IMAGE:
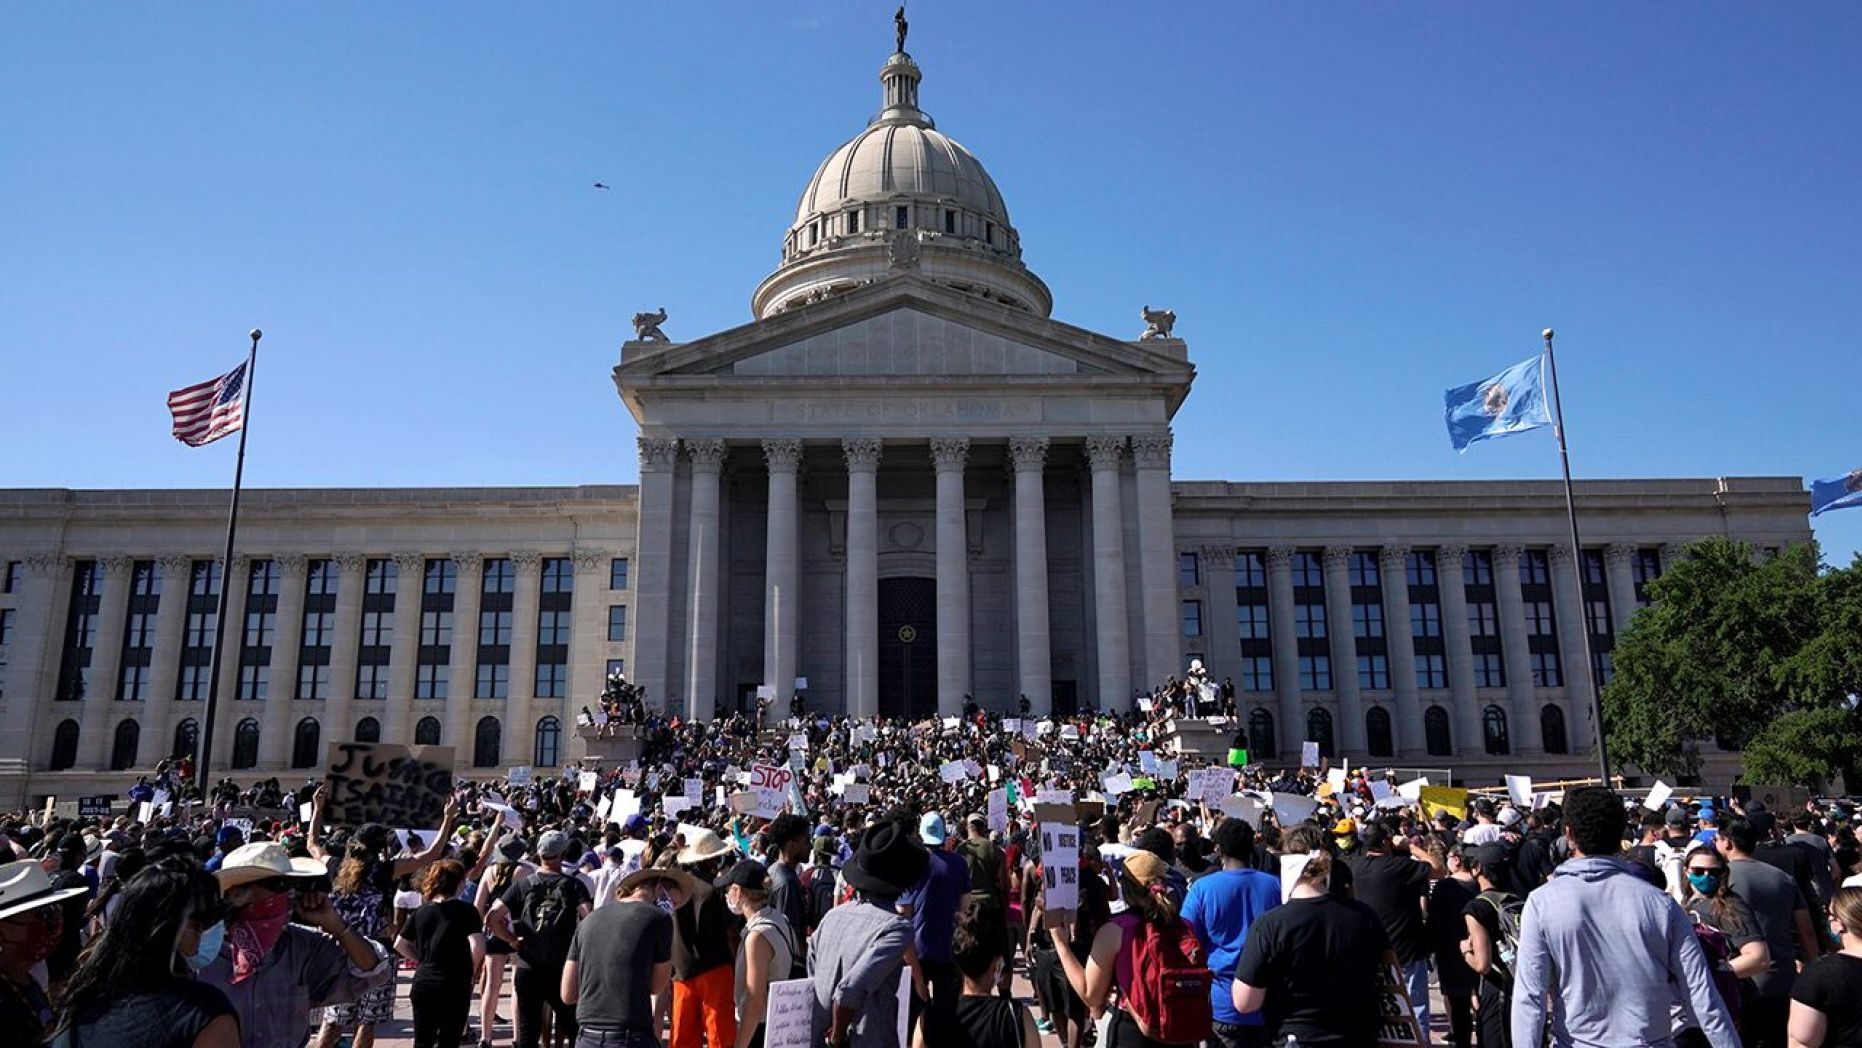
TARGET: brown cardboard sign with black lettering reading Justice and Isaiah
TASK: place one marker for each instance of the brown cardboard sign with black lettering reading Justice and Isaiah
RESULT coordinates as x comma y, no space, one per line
388,783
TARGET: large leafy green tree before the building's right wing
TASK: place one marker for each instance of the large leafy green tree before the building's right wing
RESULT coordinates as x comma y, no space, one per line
1708,660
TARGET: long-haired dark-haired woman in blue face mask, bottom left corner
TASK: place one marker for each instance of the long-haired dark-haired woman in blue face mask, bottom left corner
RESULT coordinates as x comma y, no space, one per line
131,995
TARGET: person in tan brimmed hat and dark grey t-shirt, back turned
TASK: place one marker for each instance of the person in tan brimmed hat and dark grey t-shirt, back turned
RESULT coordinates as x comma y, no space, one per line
621,961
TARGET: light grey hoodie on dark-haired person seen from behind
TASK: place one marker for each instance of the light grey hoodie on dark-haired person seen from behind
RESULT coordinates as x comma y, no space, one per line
1610,954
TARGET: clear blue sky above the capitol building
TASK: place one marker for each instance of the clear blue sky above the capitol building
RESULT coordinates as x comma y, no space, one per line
1349,206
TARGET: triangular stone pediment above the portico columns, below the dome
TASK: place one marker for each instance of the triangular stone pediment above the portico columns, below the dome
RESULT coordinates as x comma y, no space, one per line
904,330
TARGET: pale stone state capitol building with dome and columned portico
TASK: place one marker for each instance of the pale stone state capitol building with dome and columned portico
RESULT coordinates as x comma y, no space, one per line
900,483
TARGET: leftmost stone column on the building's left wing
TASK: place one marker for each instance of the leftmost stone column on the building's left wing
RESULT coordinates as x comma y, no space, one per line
34,664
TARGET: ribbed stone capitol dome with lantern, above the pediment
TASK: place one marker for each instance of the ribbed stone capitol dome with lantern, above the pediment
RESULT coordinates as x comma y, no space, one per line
900,180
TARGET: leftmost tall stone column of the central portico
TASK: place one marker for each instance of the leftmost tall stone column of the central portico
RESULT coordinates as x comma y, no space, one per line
653,569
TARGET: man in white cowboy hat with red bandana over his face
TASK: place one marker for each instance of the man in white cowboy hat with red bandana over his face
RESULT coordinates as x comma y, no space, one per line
288,950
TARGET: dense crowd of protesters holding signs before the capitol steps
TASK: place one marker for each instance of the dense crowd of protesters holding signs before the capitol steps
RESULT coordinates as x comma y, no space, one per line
1578,920
